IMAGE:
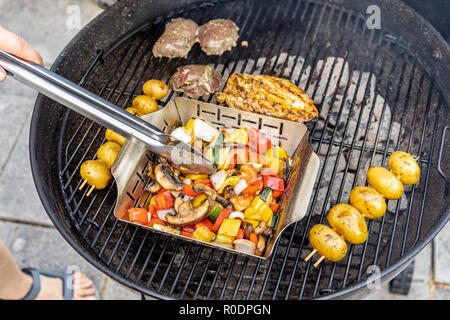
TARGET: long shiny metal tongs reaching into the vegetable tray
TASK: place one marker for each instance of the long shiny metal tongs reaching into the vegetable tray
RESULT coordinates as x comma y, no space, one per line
101,111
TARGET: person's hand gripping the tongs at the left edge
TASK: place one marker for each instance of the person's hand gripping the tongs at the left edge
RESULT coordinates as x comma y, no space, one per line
11,43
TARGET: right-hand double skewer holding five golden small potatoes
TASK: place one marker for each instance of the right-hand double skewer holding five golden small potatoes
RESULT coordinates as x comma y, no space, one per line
348,222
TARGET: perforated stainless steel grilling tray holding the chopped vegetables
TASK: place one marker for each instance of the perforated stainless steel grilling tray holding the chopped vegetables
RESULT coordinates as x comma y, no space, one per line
130,167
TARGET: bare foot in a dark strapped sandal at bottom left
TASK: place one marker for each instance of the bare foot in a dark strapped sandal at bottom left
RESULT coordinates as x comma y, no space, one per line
51,288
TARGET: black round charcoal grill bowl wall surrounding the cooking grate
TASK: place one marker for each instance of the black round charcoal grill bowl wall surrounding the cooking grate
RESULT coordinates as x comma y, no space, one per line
126,17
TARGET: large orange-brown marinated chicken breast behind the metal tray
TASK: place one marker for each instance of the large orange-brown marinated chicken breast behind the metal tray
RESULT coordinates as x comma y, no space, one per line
268,95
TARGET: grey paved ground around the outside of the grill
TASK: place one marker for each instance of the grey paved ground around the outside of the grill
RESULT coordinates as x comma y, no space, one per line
24,226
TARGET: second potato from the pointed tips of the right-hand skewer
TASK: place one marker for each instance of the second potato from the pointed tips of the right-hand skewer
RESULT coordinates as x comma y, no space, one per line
347,221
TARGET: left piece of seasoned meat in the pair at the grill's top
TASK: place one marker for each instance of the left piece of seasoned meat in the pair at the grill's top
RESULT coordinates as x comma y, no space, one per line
177,40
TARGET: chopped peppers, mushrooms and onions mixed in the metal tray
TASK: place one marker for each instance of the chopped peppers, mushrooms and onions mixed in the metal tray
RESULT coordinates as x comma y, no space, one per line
236,207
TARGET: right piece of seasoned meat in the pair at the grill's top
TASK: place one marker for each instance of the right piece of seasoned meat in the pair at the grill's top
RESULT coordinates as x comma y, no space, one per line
217,36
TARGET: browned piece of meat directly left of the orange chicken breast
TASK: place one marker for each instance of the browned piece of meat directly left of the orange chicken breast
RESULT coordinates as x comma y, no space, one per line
196,80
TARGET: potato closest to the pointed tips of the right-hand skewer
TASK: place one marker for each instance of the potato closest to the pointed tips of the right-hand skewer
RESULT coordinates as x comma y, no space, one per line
327,242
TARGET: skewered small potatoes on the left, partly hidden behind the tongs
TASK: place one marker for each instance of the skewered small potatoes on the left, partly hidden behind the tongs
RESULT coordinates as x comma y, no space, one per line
96,173
